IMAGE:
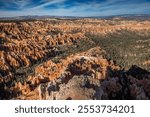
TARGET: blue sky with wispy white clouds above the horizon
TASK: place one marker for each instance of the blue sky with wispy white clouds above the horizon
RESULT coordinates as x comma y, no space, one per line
82,8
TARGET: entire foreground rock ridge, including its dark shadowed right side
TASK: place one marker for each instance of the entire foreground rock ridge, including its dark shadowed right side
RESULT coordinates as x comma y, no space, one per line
83,76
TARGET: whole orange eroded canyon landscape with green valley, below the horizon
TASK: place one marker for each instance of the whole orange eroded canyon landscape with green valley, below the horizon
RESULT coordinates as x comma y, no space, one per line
75,59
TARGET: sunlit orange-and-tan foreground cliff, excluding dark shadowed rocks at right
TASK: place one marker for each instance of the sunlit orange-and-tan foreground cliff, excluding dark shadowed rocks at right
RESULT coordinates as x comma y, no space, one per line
76,77
